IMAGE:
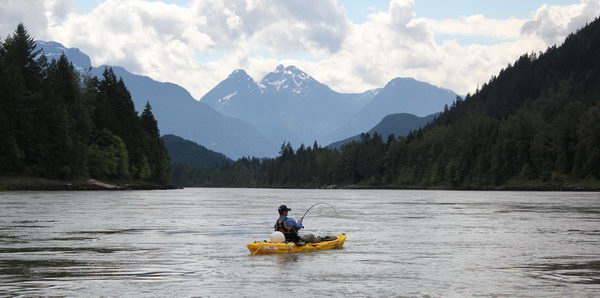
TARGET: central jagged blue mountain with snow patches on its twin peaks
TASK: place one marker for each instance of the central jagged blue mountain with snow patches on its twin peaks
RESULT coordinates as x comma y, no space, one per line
287,104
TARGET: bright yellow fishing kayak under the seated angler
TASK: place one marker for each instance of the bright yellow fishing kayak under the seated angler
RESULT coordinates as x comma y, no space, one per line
264,247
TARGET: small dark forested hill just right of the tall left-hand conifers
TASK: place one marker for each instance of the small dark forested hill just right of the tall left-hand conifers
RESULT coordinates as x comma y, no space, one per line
182,151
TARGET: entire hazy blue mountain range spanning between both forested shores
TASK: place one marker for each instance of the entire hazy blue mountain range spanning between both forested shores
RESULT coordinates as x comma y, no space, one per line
242,117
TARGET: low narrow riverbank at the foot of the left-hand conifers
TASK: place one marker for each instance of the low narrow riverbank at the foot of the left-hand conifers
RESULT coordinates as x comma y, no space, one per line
26,183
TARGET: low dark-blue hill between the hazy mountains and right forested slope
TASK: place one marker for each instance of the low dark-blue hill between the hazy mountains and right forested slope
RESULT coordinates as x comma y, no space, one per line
399,125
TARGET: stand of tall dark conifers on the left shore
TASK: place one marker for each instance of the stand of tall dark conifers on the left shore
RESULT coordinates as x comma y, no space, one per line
57,125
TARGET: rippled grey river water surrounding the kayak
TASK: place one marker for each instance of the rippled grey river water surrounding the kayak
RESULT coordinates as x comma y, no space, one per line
192,242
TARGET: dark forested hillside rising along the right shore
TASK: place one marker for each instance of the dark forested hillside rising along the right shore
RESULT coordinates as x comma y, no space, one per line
536,125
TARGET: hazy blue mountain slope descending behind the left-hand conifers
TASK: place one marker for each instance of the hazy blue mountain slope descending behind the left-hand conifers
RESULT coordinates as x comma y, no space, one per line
178,112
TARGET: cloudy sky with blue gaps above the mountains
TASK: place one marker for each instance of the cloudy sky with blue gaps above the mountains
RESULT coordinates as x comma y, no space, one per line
350,45
